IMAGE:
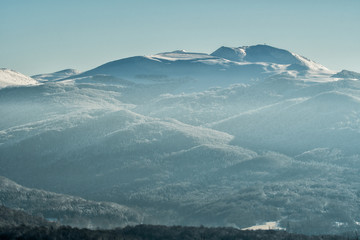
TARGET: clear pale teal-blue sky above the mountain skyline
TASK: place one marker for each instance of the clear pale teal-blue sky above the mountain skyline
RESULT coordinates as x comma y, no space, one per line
40,36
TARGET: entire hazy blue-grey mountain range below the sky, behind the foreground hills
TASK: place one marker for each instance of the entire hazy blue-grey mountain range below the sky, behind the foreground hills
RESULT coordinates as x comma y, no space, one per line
239,137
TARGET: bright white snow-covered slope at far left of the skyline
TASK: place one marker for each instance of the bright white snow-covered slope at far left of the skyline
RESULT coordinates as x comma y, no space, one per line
10,78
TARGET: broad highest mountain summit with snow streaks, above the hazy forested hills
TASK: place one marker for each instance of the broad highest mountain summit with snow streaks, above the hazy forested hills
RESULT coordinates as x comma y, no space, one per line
223,67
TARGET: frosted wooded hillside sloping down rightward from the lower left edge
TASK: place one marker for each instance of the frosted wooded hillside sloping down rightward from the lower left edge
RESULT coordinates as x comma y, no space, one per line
61,208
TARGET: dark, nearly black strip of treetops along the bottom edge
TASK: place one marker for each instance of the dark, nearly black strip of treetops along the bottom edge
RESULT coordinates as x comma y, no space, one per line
147,232
